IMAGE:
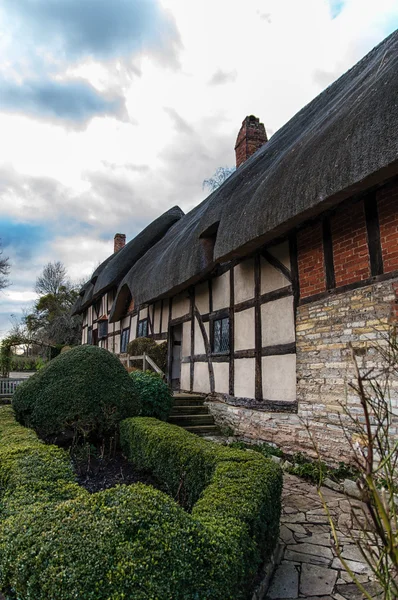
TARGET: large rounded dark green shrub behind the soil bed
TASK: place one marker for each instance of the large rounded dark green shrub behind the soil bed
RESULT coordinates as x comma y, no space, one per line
85,391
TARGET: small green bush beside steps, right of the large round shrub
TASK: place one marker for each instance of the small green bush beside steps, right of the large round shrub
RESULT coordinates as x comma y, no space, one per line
156,396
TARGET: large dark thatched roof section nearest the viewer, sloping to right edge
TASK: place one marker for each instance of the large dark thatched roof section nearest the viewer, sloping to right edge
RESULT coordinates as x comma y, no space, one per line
339,144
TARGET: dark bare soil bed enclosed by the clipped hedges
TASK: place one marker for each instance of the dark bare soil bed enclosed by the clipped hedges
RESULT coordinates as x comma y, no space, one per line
96,473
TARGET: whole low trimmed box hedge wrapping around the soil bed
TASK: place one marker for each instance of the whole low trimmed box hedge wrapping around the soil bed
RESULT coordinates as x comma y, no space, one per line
58,541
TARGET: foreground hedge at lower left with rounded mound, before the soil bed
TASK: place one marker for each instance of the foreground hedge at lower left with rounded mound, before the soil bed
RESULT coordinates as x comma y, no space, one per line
58,541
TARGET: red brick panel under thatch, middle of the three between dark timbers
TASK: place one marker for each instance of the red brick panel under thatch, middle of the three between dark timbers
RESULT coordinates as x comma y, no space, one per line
350,245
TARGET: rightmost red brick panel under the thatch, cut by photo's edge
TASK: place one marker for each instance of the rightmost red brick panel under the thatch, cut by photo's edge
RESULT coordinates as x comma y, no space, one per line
387,199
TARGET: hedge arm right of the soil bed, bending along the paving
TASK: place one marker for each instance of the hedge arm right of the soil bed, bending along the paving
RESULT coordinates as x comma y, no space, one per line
236,495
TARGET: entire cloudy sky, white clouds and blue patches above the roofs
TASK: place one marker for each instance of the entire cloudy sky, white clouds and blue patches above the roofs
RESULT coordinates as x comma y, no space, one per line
111,111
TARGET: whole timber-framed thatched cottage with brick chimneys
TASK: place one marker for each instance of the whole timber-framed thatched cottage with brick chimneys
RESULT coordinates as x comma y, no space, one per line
261,289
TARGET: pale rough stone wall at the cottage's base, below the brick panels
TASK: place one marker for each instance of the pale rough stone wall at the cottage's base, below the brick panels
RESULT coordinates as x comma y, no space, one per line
324,330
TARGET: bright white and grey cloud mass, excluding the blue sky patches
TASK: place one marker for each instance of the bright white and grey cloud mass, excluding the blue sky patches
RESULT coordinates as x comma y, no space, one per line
268,58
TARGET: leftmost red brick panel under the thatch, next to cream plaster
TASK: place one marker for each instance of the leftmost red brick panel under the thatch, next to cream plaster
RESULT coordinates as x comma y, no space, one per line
310,260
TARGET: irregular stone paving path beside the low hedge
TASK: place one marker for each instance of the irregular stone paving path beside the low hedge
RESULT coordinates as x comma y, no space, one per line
309,567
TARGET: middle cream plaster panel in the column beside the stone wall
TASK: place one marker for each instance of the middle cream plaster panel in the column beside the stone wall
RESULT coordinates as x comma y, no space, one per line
277,322
